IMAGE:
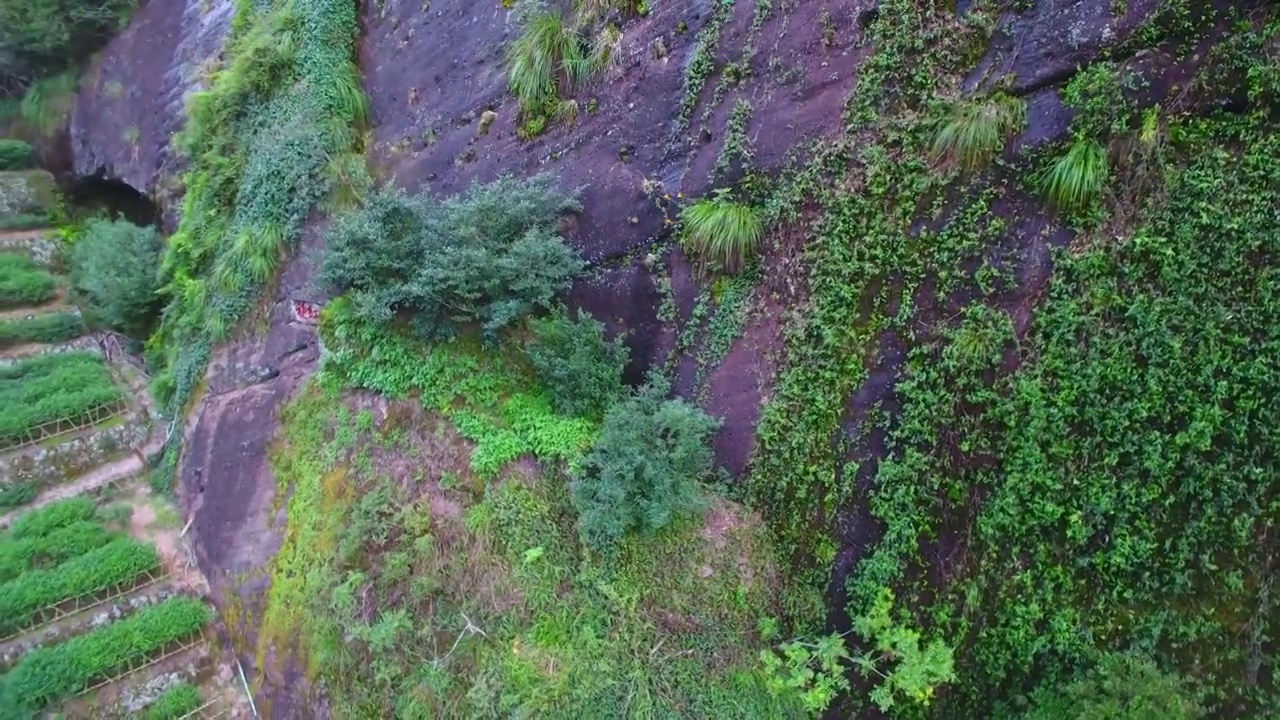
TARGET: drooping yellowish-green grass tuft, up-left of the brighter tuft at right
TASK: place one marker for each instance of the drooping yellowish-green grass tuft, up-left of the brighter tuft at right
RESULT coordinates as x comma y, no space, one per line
977,131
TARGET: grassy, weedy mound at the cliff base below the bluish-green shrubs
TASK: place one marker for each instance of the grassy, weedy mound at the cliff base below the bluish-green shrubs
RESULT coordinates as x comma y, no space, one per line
463,590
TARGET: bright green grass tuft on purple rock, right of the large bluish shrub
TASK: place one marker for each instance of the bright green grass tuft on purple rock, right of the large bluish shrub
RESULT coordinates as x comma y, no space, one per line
721,231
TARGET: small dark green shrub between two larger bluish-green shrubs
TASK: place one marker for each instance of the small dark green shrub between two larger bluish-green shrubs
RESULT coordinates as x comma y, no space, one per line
575,361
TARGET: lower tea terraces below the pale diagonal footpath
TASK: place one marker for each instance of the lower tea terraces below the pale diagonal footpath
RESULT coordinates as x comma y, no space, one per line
102,617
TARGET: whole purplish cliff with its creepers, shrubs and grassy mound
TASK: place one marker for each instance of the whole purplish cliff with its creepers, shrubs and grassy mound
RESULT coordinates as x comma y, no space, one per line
733,359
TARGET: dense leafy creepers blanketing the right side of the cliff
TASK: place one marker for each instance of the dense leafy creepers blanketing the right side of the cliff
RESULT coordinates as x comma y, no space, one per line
1113,494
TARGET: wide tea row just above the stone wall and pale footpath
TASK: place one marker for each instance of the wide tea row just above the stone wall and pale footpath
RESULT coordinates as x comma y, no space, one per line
70,389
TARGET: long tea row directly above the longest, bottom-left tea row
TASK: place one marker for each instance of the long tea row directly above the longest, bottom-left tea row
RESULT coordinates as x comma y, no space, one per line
120,562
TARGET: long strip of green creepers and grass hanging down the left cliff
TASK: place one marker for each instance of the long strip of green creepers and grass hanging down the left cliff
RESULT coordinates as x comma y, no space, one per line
277,133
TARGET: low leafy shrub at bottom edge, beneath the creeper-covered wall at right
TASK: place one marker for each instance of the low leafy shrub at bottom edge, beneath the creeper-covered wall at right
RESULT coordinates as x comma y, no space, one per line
1118,687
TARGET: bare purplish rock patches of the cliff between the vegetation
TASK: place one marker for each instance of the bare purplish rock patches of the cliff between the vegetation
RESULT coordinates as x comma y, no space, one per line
432,71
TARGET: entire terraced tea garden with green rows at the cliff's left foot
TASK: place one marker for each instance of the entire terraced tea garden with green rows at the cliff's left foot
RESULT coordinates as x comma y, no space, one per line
102,608
